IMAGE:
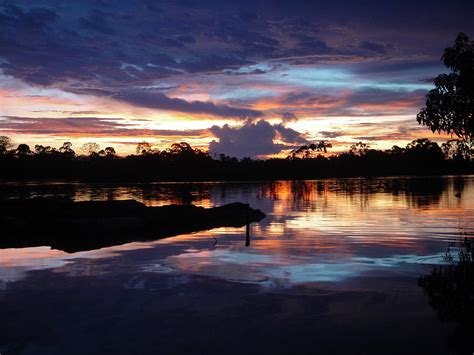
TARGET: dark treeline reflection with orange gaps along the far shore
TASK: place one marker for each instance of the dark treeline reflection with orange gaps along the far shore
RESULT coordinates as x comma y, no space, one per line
418,192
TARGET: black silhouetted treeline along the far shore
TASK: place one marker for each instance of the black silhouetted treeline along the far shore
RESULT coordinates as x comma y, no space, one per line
181,162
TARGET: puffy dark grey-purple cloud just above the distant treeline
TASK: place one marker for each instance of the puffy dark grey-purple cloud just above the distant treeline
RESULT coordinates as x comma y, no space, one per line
254,139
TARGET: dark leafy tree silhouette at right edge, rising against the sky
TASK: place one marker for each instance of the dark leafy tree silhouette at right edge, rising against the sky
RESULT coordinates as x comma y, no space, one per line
450,105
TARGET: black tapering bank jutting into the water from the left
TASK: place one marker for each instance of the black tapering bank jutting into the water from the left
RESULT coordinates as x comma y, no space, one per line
78,226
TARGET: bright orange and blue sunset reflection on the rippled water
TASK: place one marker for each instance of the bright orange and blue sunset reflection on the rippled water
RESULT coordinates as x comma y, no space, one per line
315,231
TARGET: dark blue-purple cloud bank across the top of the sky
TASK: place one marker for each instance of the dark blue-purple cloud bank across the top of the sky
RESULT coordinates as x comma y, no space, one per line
52,42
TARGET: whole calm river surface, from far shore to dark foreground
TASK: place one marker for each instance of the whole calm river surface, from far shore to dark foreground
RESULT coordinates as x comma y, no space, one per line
332,269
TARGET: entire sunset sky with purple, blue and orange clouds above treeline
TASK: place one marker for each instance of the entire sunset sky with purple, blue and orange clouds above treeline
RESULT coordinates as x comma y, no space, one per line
243,78
